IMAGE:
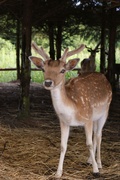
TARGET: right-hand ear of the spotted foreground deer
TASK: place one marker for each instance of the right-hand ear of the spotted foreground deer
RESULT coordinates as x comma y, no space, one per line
71,64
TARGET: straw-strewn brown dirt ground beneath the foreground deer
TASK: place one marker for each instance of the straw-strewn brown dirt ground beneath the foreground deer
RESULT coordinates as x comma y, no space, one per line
29,150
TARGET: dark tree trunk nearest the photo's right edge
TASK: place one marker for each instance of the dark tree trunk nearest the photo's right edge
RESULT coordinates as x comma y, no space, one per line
111,54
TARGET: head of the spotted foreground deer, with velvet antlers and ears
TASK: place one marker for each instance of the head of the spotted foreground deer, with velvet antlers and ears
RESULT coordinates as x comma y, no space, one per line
57,67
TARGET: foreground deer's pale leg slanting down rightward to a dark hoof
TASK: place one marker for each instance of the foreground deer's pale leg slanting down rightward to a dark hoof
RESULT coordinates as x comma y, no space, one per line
88,132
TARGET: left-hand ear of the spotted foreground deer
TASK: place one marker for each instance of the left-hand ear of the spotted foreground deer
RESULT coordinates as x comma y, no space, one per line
38,62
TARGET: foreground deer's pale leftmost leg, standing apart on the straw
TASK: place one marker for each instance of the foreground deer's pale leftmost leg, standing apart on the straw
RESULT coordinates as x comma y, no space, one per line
64,140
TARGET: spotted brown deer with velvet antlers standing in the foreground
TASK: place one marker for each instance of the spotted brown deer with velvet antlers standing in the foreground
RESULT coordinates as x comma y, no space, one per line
82,101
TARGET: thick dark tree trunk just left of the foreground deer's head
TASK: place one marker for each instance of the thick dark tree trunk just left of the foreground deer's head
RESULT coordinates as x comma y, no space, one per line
26,51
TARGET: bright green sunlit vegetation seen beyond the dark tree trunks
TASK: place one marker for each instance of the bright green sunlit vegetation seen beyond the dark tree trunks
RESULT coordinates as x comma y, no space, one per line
8,56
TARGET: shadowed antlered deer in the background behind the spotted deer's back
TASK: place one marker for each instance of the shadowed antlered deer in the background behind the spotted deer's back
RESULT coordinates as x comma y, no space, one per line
88,64
